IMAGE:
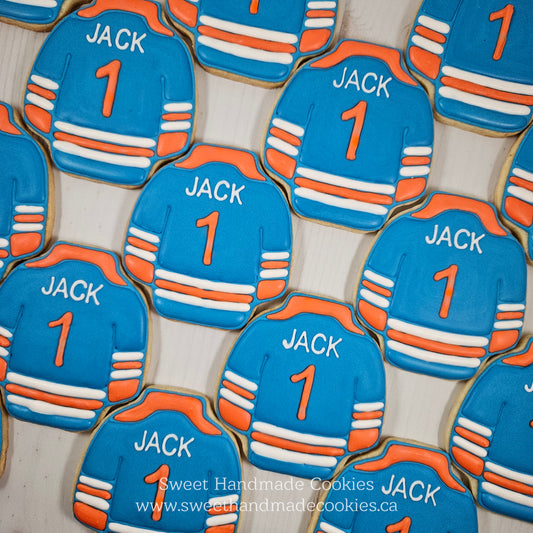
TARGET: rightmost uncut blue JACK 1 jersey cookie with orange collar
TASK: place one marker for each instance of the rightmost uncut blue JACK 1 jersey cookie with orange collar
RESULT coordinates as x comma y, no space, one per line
426,273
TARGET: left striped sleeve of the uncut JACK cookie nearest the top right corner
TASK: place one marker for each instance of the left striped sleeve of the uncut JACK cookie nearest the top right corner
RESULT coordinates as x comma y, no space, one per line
287,128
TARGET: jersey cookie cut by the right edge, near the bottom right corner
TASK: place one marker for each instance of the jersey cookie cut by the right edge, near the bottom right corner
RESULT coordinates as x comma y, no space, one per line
492,434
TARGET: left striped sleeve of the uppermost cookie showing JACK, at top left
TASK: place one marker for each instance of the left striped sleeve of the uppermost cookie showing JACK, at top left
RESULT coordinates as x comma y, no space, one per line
46,77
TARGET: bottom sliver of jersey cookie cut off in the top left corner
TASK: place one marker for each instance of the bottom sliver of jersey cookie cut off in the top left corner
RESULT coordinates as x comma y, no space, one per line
38,15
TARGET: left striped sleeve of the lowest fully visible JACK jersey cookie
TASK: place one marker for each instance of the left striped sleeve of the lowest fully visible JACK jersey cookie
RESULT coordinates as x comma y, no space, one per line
240,379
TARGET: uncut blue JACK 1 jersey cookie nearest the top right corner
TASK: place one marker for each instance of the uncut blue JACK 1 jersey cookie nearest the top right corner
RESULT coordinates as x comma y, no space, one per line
351,137
